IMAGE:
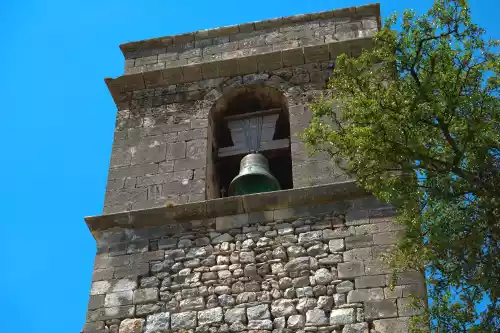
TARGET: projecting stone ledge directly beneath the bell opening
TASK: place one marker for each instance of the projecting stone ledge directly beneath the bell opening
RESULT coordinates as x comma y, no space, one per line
205,210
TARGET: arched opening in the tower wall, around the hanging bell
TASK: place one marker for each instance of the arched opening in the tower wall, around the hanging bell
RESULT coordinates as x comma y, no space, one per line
226,135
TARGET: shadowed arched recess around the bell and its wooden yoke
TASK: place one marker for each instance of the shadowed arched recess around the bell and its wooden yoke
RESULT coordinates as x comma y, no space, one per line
241,100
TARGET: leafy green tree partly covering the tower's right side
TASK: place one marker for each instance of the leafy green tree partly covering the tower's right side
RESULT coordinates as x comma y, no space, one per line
416,120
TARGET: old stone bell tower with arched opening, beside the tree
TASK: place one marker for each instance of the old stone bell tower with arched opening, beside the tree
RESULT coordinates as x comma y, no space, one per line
176,253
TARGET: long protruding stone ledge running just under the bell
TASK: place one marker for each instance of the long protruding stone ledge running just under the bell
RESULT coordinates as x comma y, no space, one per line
229,212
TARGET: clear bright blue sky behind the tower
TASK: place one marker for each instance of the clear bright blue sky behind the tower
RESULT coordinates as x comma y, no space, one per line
57,131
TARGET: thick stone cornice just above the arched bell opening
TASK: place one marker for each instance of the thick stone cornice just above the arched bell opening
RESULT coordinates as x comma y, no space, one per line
234,66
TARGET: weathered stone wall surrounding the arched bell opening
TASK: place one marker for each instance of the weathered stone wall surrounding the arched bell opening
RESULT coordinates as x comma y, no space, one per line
160,146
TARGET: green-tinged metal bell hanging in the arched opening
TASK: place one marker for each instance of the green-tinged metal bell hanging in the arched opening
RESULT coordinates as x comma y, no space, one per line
254,177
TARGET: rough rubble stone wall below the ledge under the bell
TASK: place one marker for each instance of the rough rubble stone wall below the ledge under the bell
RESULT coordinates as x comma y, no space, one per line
302,269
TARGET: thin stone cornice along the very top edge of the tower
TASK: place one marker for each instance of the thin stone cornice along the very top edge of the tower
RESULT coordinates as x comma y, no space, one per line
352,12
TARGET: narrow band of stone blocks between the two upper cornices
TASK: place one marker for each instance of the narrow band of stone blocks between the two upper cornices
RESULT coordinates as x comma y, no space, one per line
250,39
